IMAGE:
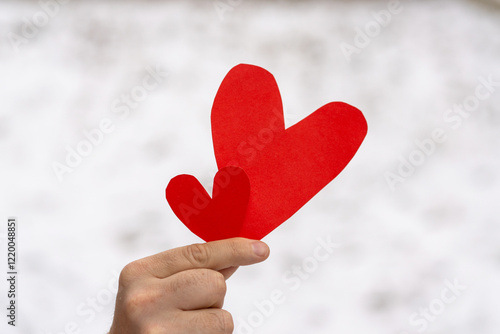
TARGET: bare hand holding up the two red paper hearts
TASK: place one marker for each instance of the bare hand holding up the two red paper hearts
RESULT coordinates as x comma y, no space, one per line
182,290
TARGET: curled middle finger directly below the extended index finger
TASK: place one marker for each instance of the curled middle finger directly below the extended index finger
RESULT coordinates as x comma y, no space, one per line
196,289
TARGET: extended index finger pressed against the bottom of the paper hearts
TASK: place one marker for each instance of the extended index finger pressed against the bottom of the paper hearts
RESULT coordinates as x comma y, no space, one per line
216,255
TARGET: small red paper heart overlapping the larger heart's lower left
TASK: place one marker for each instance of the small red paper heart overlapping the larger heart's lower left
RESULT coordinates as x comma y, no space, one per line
219,217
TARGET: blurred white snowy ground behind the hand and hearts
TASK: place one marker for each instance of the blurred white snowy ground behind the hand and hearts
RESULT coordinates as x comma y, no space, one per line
396,248
